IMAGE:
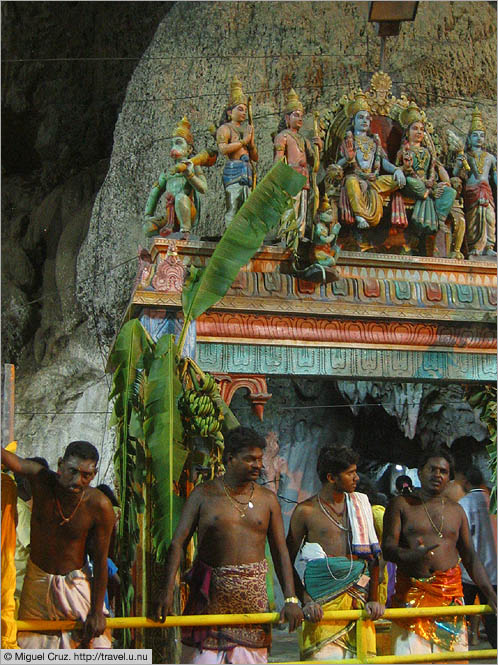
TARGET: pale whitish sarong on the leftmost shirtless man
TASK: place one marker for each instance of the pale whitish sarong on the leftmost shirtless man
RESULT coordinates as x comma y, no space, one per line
56,597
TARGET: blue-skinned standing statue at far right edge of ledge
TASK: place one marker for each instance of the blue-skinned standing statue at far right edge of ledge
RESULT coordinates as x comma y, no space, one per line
478,197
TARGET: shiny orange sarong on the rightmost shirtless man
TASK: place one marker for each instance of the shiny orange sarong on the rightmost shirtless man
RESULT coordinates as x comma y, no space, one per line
441,589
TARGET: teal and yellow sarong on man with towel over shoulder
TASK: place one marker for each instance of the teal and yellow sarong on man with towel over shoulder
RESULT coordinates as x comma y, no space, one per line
349,592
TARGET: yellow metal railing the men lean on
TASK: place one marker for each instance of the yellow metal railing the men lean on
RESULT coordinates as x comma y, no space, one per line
360,616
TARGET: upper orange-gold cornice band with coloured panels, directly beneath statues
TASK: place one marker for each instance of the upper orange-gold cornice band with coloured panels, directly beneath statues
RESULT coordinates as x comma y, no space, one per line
371,286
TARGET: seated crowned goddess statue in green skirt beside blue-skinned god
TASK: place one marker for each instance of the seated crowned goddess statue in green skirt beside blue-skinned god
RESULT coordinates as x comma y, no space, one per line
432,199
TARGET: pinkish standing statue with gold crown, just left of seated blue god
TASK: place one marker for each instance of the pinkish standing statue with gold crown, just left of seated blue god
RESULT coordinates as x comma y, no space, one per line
297,151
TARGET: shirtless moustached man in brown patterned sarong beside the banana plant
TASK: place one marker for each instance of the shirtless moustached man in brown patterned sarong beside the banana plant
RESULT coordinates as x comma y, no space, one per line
233,516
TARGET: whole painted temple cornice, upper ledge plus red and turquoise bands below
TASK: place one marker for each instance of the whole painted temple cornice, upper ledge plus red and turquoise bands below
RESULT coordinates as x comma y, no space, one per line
388,317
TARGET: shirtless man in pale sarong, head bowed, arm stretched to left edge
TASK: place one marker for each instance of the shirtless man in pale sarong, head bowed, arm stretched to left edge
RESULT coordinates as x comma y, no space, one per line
66,513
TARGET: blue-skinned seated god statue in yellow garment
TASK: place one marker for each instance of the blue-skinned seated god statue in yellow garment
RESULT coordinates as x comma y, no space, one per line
362,157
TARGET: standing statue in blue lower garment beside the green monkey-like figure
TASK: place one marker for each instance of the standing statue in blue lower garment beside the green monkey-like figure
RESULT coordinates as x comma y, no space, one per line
237,144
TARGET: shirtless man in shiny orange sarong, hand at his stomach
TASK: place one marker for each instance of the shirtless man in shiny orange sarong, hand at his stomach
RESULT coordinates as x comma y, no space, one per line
427,535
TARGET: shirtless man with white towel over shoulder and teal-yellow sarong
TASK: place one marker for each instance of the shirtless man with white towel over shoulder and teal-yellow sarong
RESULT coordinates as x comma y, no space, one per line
337,568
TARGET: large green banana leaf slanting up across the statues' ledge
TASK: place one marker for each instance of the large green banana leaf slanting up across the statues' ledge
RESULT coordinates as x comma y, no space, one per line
258,215
